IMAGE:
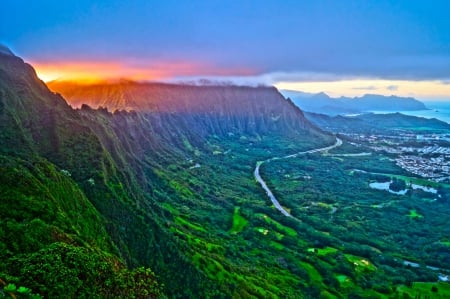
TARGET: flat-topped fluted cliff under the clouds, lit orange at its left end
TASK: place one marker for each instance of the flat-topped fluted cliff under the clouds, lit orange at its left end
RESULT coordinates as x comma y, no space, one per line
208,109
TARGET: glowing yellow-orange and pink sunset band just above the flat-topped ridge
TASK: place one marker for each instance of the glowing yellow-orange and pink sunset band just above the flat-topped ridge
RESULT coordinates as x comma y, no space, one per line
90,71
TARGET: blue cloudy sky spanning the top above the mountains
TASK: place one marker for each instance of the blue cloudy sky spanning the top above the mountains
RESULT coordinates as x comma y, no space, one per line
272,41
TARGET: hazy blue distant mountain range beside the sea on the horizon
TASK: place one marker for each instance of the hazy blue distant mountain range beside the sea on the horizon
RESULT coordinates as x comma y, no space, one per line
322,103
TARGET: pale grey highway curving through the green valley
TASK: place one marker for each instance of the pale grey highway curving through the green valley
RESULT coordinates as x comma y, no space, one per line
267,189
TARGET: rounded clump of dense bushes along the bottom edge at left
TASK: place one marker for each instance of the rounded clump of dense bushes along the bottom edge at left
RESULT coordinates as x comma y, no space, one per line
76,272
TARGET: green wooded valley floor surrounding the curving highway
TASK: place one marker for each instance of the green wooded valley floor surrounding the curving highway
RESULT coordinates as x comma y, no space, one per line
344,238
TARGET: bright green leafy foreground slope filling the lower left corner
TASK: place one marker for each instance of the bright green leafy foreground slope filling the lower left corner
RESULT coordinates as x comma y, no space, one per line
53,241
